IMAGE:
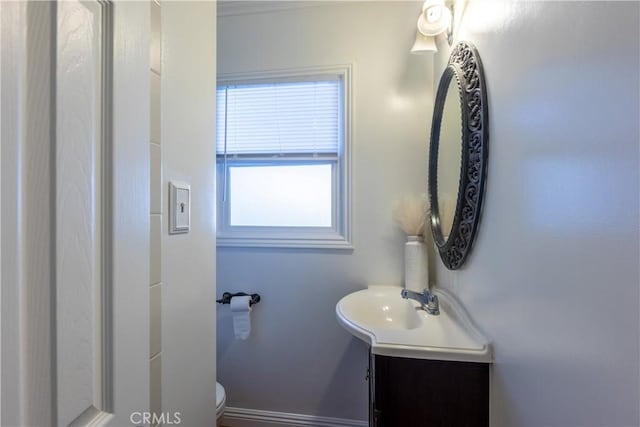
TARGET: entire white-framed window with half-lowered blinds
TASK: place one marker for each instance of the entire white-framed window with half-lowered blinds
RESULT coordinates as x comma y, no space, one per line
282,146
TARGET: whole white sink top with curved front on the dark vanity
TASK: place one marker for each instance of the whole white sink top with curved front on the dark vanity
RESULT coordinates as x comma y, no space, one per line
393,326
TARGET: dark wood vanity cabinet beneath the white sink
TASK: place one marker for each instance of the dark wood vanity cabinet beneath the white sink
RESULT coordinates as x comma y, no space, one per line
427,393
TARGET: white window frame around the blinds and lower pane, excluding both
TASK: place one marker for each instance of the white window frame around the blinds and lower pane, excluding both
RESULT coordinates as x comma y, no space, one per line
339,235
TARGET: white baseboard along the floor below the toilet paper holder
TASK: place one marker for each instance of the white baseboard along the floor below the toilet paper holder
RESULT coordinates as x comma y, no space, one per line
241,417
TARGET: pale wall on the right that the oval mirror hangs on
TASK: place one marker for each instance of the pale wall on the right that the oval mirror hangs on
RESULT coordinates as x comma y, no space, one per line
553,277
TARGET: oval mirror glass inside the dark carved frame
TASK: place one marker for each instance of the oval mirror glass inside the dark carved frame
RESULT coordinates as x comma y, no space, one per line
449,157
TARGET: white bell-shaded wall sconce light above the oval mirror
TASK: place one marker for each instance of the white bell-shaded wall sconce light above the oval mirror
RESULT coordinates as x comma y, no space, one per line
436,18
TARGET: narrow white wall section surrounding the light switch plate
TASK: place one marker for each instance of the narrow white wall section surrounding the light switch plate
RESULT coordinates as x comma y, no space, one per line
188,260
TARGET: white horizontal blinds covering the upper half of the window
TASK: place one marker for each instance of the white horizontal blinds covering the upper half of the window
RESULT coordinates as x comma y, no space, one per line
279,118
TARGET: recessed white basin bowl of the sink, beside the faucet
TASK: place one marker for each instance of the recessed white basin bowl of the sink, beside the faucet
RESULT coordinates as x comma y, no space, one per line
379,308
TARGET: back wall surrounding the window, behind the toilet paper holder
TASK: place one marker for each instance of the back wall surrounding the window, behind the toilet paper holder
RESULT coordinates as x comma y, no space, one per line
298,359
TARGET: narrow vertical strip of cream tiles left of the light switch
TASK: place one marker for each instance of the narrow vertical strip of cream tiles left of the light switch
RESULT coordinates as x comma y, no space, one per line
155,209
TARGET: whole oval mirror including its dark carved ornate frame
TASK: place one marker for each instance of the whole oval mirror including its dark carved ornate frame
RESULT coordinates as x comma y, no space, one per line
458,155
